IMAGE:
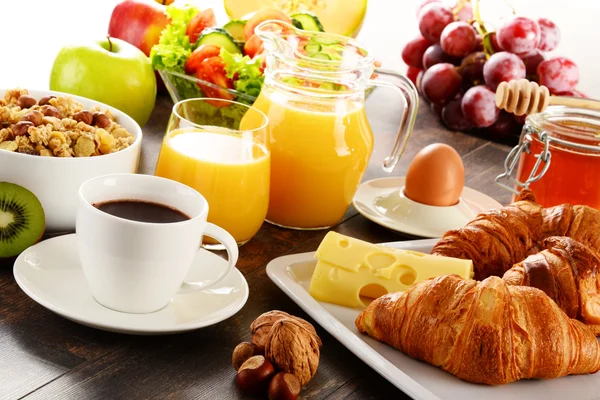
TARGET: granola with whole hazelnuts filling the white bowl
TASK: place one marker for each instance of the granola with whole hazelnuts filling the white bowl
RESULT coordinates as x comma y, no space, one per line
58,127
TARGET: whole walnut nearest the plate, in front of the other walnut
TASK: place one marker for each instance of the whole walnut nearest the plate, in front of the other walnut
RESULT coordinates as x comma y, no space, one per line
292,347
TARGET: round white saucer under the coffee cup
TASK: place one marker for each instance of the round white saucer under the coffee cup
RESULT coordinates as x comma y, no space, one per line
49,272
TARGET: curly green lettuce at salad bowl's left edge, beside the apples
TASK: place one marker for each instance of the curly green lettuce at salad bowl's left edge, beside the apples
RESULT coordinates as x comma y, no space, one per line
174,47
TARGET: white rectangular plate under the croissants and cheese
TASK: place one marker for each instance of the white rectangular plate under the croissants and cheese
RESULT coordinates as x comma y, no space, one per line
417,379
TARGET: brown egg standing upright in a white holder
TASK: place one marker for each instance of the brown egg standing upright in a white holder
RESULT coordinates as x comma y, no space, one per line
436,176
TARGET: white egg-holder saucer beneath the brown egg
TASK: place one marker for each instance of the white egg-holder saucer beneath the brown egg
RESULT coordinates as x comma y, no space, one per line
380,201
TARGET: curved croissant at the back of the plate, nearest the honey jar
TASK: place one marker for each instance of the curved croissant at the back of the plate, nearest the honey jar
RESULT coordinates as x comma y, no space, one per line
497,239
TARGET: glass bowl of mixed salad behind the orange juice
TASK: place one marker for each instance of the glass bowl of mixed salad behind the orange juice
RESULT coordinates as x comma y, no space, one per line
196,58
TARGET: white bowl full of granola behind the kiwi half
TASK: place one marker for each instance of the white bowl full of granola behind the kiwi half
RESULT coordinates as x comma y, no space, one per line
52,142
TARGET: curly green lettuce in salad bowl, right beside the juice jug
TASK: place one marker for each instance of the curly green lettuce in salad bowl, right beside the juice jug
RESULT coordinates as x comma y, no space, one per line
245,72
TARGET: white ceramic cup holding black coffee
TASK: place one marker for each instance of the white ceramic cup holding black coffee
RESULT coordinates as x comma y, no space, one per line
137,267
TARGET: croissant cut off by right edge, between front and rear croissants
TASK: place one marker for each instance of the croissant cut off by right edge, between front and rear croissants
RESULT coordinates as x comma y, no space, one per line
568,272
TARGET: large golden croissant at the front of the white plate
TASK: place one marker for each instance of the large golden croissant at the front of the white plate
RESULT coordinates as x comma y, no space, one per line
483,332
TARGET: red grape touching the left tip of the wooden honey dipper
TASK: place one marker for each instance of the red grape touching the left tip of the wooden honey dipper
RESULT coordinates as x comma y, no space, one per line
479,106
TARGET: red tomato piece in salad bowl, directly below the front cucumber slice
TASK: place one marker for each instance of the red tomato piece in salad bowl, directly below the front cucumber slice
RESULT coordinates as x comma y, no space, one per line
212,70
